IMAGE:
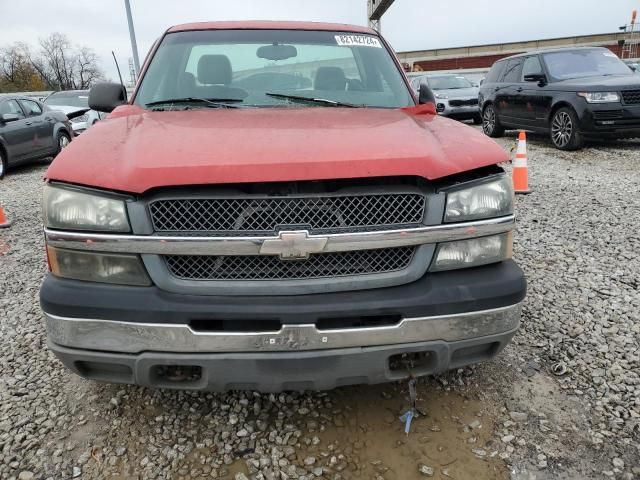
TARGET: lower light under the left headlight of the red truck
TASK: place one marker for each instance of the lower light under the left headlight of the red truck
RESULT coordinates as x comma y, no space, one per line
97,267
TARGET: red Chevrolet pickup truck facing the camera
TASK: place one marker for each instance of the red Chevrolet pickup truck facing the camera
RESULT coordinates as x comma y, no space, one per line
274,209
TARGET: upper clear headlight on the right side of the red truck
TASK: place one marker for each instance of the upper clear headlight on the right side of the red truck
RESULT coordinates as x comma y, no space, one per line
484,200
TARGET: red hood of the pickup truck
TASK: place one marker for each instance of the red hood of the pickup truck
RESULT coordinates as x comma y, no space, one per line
135,150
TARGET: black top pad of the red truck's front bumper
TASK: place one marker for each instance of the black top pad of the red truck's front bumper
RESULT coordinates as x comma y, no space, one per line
444,293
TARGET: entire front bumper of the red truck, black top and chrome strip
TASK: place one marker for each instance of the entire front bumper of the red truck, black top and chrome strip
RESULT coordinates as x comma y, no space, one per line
125,334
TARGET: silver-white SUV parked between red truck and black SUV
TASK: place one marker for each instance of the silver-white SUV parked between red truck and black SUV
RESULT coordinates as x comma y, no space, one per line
456,96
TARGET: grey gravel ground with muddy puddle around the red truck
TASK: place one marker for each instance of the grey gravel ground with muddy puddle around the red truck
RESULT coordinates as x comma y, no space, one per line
562,401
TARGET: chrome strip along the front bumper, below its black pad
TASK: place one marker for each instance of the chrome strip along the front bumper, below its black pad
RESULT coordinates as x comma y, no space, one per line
127,337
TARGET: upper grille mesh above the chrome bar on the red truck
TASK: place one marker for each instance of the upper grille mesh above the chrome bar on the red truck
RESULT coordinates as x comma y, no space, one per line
266,215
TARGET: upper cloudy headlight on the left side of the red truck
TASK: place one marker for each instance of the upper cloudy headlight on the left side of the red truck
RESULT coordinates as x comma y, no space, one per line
65,208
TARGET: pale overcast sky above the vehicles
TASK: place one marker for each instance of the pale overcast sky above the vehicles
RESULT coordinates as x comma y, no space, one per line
408,25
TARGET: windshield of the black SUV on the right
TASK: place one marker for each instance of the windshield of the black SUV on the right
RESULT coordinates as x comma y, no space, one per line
584,63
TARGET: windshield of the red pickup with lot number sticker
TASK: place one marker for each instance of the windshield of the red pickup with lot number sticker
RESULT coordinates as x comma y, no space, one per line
248,67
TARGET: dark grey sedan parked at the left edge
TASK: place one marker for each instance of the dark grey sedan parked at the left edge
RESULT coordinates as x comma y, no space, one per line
29,131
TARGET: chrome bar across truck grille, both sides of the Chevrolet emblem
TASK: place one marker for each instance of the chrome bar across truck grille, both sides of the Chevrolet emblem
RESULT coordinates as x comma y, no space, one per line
338,242
